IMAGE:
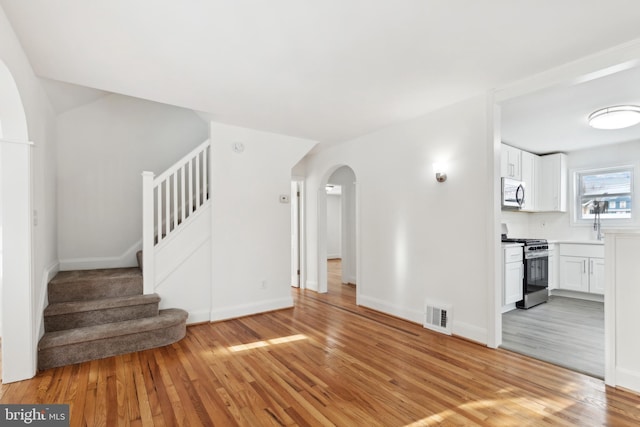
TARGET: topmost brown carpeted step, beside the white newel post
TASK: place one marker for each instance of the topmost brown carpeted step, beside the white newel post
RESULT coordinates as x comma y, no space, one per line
82,285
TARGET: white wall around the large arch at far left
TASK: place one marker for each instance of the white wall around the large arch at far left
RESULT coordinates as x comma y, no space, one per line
43,262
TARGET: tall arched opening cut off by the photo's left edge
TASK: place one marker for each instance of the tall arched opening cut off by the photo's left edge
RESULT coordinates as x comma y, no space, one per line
16,312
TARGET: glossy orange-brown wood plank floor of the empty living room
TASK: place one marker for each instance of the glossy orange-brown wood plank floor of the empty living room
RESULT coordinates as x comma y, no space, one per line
325,362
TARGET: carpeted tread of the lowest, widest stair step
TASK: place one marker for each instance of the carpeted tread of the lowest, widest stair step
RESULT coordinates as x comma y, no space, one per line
166,318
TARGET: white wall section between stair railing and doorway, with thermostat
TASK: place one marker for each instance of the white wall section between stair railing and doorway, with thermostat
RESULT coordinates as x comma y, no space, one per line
251,247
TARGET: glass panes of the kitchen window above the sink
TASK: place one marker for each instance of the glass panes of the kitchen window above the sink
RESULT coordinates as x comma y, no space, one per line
608,192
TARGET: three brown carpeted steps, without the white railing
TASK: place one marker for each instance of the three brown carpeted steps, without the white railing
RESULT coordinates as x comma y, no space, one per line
94,314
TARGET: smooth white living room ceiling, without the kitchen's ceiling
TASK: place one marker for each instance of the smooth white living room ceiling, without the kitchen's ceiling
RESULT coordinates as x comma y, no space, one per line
327,70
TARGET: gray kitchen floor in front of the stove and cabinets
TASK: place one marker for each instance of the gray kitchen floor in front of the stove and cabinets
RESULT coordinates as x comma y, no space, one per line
565,331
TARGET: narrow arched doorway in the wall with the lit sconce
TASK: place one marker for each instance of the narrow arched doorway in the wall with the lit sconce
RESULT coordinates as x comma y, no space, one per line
344,221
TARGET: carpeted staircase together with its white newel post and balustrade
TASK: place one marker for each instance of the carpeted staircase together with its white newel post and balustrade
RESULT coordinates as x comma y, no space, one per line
94,314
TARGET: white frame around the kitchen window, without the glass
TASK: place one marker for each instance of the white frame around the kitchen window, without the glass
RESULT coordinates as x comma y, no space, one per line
576,204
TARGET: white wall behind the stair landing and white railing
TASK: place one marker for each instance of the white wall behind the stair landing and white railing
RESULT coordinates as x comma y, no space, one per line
103,148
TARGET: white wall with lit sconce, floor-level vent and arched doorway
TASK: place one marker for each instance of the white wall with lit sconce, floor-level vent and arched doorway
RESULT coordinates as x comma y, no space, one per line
419,238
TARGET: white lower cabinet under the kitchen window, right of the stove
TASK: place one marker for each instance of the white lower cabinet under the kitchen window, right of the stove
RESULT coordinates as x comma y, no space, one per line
580,272
